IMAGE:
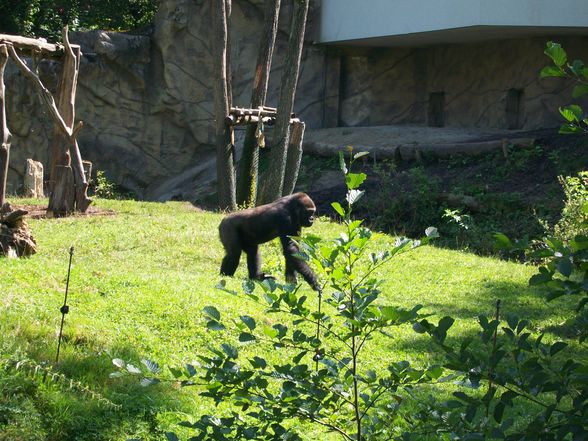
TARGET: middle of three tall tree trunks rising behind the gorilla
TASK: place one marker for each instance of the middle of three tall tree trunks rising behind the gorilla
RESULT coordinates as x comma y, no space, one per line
249,164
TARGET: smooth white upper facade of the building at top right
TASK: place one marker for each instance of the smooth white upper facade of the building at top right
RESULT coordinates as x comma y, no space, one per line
355,20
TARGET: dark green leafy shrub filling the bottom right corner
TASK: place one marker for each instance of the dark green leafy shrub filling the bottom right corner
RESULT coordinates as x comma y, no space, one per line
505,366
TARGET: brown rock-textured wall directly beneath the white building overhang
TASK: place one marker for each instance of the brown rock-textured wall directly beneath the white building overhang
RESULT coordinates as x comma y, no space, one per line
480,84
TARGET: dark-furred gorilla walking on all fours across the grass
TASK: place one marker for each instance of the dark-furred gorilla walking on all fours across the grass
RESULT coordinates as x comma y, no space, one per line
245,230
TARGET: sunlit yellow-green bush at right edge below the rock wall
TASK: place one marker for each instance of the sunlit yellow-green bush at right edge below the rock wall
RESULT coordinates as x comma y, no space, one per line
574,219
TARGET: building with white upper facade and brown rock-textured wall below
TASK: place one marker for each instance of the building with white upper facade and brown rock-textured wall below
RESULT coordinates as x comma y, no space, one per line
454,63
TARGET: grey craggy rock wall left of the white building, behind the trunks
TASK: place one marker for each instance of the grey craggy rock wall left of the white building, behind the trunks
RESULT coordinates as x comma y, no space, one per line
146,100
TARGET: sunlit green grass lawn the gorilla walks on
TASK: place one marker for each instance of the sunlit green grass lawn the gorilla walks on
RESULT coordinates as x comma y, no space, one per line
140,279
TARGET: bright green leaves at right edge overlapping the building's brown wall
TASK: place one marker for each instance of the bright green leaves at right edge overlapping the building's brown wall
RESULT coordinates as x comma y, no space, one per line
576,120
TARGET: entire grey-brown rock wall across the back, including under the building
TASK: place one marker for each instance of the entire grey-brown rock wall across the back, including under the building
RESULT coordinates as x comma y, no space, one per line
146,100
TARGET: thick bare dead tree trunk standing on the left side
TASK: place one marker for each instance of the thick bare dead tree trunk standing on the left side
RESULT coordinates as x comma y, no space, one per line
65,146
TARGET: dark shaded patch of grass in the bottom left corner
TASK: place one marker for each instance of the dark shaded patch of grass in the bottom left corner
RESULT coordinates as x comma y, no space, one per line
85,405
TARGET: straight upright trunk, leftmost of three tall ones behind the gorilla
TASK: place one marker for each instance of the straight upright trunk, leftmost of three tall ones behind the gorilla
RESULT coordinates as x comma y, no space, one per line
225,170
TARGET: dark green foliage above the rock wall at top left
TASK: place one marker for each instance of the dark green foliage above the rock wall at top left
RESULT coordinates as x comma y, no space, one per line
46,18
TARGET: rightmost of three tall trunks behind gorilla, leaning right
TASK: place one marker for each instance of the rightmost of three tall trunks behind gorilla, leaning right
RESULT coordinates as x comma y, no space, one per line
274,181
